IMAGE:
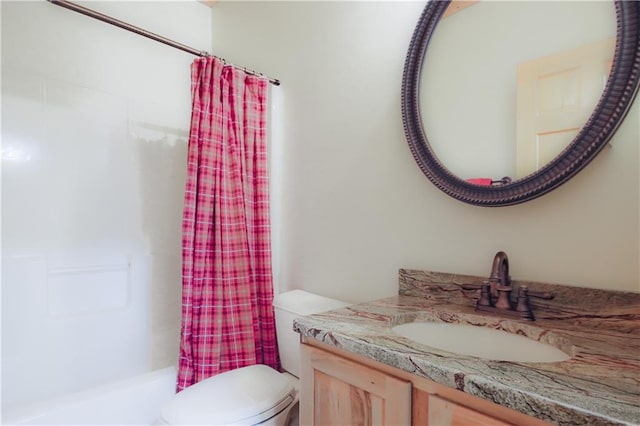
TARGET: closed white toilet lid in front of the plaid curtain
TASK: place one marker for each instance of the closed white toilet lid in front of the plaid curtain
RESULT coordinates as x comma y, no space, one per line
247,395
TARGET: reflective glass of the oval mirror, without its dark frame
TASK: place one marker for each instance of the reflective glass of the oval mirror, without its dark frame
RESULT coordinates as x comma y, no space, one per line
506,86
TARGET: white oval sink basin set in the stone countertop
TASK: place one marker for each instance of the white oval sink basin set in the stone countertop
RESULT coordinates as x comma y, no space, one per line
481,342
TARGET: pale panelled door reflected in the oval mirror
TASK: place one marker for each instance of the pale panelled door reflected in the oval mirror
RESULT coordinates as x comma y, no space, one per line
555,97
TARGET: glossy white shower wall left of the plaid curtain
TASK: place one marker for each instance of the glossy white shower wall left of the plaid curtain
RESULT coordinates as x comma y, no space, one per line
94,130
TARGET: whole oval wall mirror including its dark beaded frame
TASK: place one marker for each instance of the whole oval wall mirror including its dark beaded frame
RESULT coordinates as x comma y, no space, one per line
530,119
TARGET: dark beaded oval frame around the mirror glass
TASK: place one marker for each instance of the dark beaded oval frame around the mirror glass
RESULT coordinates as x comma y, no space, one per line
620,90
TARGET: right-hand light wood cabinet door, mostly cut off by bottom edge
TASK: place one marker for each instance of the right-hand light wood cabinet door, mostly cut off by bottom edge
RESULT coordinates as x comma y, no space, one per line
441,412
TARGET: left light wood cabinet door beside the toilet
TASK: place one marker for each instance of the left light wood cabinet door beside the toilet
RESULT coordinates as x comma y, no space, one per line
337,391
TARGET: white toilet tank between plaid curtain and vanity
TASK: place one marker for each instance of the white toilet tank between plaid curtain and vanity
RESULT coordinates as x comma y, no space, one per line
288,306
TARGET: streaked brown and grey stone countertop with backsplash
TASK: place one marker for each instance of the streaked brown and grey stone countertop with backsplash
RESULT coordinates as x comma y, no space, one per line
599,385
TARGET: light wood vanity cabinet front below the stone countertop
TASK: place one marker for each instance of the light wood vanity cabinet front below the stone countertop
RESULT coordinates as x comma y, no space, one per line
340,388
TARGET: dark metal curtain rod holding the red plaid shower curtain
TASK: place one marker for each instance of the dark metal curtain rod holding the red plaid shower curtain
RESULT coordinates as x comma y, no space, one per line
116,22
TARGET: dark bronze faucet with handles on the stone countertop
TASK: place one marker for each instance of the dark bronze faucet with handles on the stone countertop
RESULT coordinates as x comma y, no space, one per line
495,293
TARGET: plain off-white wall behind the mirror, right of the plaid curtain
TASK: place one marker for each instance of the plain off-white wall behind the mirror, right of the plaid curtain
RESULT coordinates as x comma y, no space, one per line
355,207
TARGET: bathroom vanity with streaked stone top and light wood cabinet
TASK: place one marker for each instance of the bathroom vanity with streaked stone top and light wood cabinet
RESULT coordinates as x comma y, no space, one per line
357,370
